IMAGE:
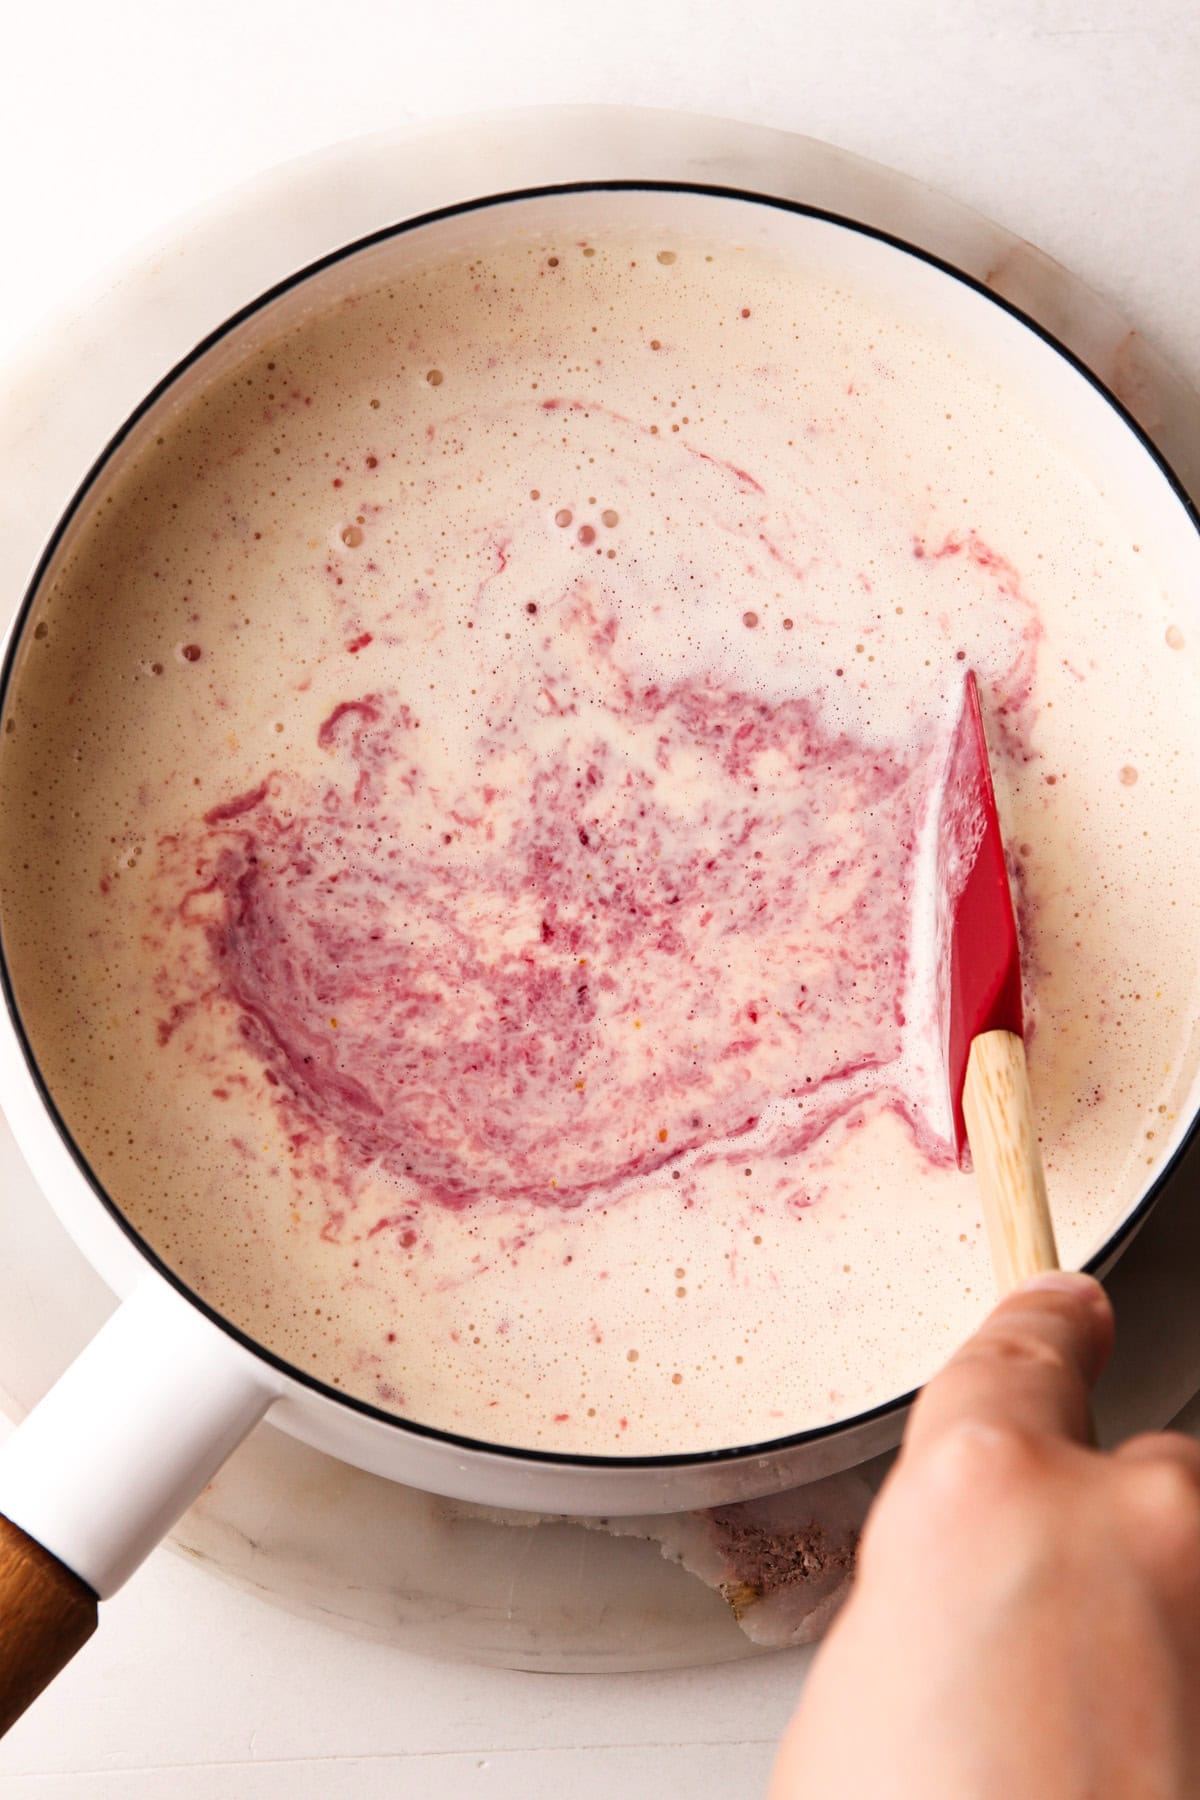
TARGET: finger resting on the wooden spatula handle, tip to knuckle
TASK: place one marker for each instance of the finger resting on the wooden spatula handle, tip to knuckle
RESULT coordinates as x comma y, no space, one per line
1030,1367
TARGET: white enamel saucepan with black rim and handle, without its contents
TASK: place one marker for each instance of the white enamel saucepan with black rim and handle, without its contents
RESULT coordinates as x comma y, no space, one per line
168,1389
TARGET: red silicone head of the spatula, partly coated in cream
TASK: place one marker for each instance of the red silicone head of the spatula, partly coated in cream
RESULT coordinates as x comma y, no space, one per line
978,948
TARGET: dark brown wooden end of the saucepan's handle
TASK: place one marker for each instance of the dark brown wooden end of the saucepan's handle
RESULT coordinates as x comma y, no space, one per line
46,1615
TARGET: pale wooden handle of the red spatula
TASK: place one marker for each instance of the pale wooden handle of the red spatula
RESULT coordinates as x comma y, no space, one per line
1005,1147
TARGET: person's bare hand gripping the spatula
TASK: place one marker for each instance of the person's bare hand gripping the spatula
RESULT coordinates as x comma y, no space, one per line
1026,1614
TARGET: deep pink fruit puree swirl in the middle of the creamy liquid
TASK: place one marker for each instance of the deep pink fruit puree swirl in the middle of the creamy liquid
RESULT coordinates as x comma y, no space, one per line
697,904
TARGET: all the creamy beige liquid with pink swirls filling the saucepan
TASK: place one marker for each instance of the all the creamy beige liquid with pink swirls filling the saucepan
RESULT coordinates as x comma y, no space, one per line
463,818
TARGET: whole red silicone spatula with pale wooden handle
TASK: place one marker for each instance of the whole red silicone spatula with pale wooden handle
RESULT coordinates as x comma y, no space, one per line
981,1011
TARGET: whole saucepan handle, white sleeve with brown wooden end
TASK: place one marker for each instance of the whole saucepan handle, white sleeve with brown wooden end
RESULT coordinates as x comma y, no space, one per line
103,1468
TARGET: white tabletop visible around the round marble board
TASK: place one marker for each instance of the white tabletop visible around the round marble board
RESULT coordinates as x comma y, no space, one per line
1073,123
